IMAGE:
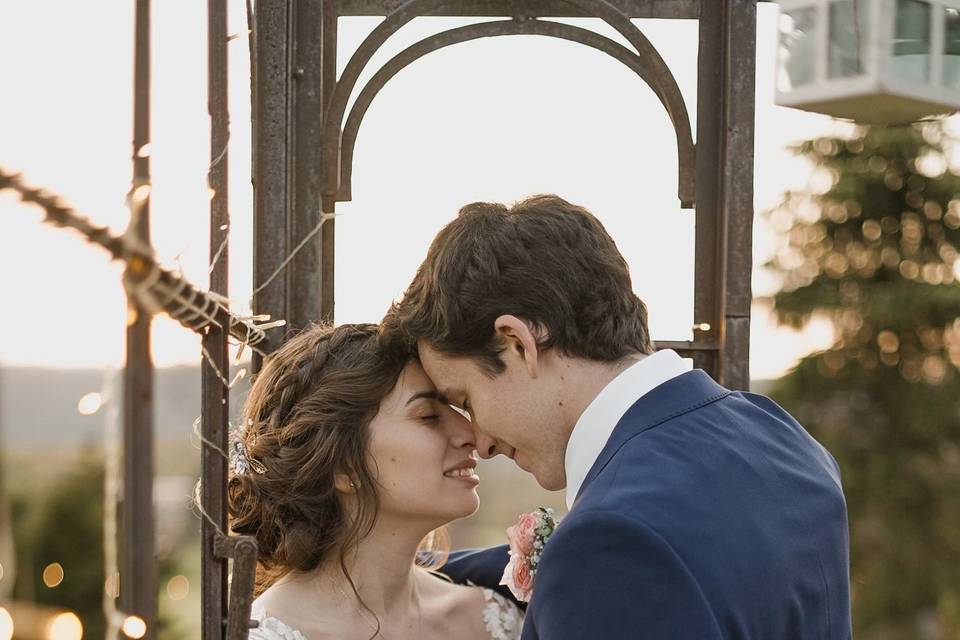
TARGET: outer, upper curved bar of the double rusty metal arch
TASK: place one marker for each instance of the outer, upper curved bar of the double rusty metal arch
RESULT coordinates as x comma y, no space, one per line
661,80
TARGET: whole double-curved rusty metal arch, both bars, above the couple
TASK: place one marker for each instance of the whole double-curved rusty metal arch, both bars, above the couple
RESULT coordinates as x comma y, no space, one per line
657,75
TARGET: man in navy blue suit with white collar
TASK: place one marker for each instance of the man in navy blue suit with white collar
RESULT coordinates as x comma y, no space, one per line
695,511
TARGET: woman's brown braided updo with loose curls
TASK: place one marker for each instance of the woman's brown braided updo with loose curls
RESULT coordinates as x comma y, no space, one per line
305,421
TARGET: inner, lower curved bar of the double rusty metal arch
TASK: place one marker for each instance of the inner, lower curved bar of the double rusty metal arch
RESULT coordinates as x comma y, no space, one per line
678,113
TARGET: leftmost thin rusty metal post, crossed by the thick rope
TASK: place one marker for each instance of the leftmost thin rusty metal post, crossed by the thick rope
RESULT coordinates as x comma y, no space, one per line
138,575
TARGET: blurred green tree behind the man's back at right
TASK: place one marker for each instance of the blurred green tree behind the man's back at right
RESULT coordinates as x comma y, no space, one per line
873,247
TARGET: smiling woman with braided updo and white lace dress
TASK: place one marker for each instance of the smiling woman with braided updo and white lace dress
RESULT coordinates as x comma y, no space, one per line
348,465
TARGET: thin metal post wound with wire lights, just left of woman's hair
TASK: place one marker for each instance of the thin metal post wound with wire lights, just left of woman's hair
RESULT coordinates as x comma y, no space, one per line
215,409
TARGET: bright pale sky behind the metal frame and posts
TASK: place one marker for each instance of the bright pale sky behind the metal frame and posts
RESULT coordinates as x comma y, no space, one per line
494,120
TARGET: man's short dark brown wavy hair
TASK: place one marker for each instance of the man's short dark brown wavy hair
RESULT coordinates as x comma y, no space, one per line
544,260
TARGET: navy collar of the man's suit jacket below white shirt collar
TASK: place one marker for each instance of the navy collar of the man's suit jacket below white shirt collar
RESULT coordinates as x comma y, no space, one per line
674,397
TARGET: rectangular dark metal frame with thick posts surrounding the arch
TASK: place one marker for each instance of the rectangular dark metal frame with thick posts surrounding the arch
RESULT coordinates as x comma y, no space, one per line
295,82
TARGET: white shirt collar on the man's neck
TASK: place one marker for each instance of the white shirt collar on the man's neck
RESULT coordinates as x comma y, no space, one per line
598,420
